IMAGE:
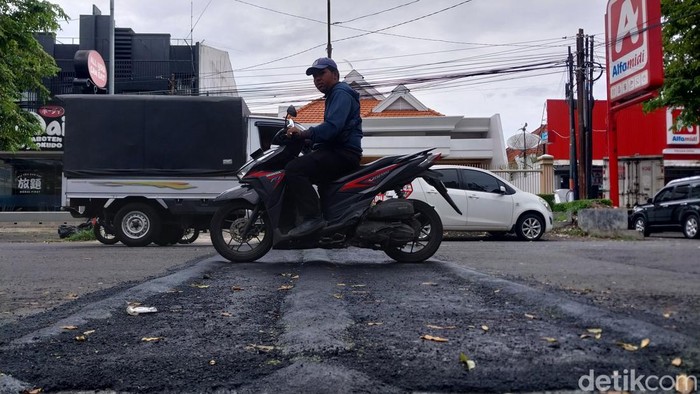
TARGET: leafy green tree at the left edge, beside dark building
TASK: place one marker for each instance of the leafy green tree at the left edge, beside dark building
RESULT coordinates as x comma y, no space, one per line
23,64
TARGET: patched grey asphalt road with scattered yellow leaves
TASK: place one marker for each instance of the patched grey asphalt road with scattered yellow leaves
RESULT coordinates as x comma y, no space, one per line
347,320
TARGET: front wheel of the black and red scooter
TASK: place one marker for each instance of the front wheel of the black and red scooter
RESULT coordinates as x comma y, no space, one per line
239,235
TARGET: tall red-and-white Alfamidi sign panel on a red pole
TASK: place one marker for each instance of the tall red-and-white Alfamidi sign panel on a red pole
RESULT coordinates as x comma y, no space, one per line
633,36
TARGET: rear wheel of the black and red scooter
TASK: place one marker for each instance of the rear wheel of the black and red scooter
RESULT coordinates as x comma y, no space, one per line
426,242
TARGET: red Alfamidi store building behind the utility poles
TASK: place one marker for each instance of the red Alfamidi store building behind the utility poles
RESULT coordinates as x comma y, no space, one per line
650,153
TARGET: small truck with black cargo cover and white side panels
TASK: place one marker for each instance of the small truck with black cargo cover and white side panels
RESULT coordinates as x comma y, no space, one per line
149,166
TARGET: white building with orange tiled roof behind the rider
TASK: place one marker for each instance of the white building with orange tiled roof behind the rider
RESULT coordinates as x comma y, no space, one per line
399,123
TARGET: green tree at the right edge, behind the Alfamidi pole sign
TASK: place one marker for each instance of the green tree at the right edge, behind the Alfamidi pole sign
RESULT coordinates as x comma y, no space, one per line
681,40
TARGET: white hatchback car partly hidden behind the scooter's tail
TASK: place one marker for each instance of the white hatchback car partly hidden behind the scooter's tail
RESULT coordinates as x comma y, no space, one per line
488,203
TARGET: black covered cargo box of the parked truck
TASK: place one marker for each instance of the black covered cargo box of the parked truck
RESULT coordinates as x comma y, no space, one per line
130,135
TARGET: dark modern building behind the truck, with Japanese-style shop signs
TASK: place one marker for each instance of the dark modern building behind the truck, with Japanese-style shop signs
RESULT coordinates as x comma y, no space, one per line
30,180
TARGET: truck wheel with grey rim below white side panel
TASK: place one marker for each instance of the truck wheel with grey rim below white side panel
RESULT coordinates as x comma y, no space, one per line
137,224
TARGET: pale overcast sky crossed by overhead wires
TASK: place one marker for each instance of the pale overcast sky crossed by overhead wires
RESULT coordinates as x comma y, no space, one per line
442,50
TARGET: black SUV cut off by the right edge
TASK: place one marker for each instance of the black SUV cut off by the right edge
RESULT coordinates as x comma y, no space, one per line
676,207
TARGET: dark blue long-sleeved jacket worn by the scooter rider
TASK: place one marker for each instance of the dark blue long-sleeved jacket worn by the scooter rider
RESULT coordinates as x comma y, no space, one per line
342,125
